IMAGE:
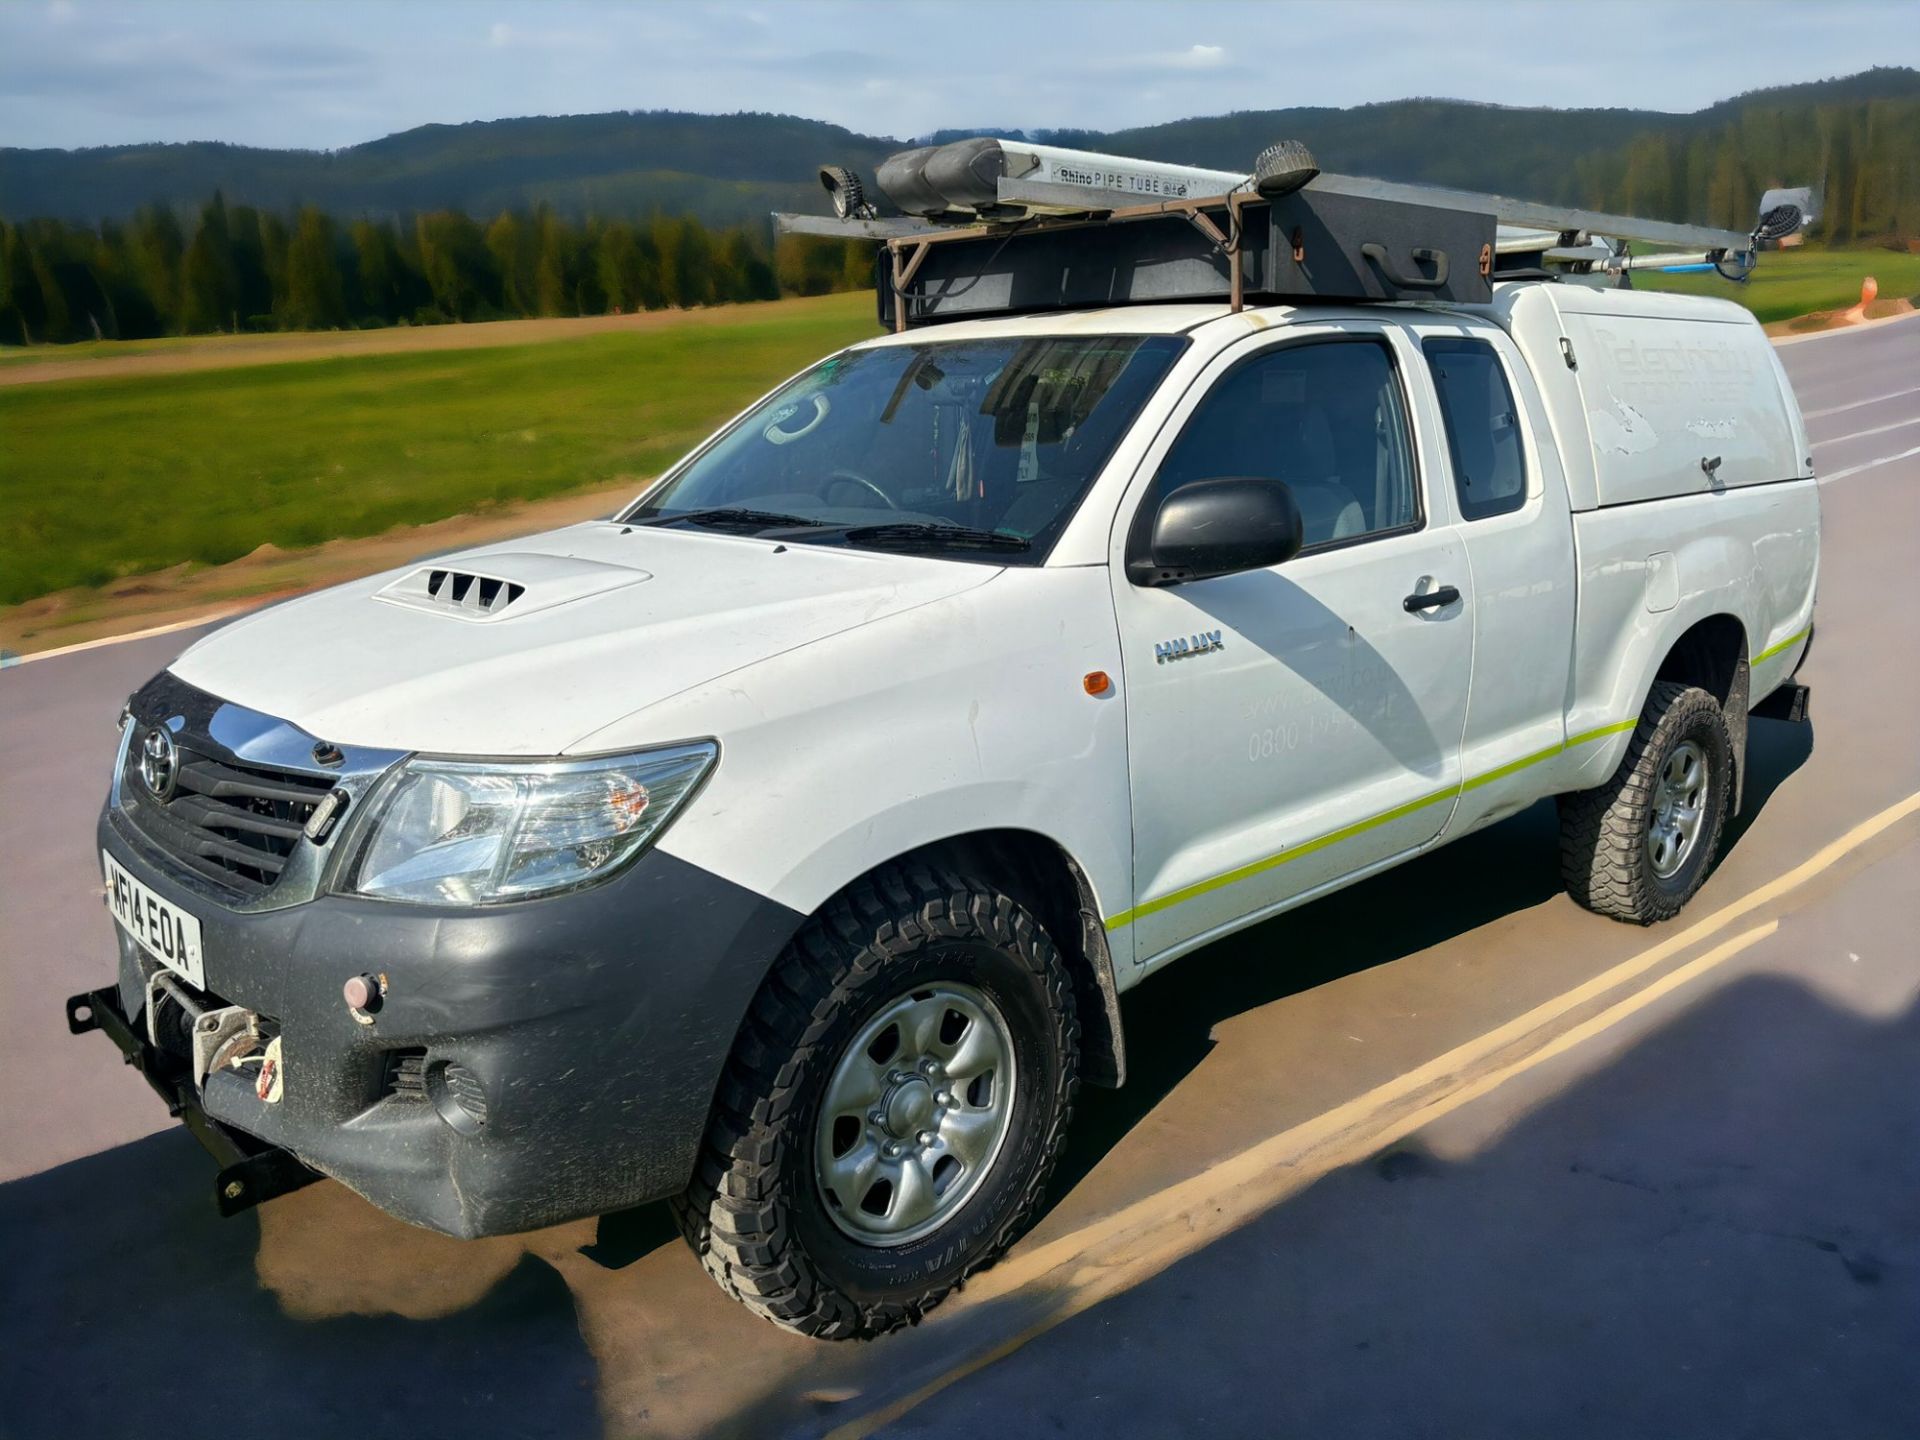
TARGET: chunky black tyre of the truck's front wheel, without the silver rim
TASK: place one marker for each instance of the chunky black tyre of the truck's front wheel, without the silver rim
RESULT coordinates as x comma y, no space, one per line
754,1212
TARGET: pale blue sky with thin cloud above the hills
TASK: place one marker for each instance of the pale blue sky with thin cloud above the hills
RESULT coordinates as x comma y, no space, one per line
329,74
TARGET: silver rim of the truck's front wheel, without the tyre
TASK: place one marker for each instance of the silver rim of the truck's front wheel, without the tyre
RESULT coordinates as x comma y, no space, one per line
915,1115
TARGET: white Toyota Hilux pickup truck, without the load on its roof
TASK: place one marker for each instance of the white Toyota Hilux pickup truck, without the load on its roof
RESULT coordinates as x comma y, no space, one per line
786,842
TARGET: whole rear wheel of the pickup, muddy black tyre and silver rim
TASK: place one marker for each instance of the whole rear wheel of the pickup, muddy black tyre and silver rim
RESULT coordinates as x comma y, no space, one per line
1643,844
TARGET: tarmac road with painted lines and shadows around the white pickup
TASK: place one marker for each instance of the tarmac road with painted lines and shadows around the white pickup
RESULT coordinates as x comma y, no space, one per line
1439,1155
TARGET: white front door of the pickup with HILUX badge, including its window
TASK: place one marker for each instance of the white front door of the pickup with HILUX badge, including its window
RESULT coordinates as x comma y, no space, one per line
1289,729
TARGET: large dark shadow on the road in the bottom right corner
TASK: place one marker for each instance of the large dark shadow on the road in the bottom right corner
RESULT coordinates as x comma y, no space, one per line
1710,1236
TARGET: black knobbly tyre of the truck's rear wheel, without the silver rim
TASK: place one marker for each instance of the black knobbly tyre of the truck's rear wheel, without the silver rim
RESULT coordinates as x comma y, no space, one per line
1604,832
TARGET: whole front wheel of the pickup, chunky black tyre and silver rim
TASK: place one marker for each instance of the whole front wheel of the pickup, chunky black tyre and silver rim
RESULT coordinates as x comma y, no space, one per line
892,1111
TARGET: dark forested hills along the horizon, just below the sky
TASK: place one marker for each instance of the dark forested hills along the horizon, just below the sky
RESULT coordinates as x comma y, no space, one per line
1860,135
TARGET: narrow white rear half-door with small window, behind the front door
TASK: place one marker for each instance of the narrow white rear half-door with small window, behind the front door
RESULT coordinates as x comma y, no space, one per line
1516,525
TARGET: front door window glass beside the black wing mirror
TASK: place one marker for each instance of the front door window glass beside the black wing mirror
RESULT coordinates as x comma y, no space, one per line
1324,418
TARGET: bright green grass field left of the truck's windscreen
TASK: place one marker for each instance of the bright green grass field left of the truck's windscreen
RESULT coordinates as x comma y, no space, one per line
105,479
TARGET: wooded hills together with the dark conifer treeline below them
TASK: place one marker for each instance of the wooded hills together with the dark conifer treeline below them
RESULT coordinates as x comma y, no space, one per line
180,268
